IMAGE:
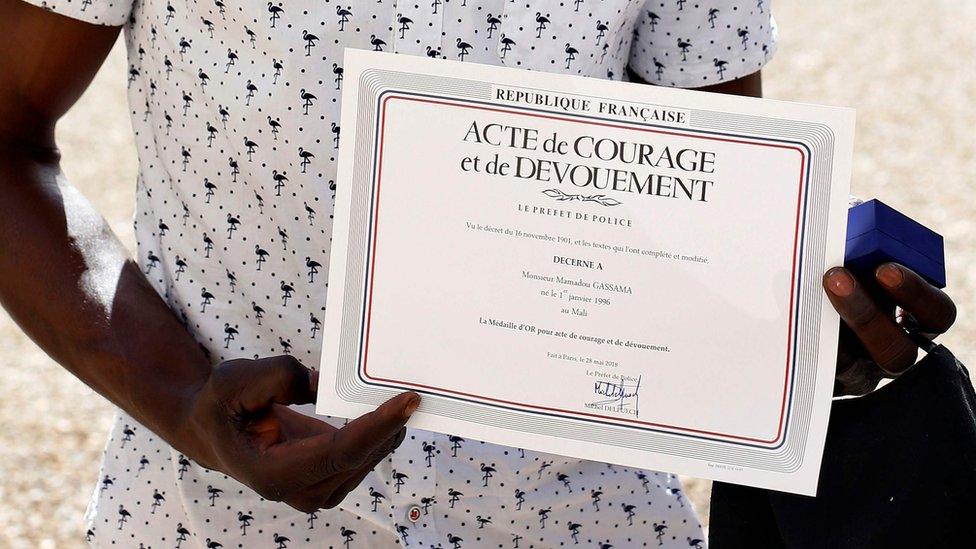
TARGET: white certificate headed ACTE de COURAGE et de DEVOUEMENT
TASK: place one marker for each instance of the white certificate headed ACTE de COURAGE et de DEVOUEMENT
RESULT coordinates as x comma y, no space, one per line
609,271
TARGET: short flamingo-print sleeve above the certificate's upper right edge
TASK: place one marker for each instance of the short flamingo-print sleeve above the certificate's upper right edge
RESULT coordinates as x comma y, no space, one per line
693,44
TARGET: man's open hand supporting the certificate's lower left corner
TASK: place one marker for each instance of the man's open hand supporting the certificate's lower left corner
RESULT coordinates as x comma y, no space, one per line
243,427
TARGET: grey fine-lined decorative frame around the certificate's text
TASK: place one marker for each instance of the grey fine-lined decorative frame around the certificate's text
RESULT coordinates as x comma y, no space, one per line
783,453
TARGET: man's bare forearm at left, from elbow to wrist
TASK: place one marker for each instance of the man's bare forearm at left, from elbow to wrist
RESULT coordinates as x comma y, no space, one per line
69,283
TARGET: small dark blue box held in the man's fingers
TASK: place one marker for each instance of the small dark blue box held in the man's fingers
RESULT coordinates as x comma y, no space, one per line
877,233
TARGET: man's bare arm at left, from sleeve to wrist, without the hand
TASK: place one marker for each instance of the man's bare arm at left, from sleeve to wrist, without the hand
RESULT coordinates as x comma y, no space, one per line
64,277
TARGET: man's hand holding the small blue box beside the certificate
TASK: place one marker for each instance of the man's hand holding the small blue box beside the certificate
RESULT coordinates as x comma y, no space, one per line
876,341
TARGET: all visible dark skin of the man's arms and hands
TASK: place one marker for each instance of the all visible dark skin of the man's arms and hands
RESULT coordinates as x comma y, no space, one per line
70,285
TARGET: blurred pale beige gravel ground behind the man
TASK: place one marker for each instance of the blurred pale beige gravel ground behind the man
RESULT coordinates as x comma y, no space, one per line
910,72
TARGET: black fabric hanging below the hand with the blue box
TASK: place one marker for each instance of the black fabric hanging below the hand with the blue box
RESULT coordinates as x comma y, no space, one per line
899,470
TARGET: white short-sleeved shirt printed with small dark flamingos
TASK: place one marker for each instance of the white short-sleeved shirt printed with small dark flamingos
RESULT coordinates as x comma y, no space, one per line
235,107
